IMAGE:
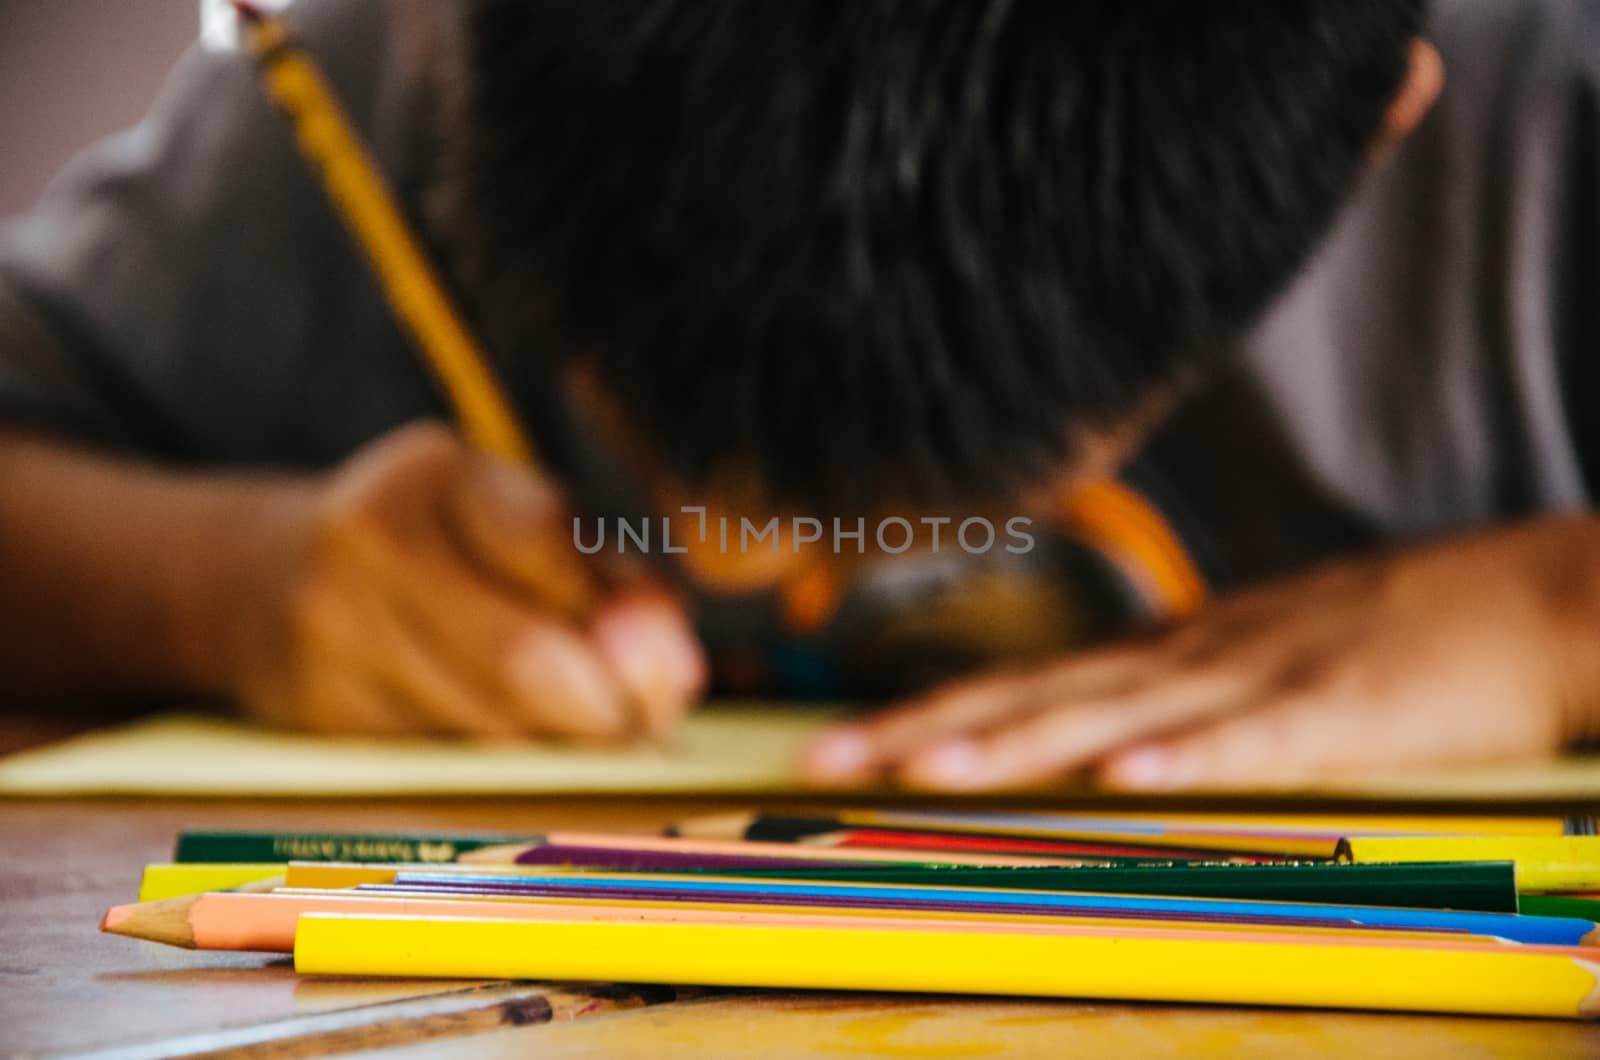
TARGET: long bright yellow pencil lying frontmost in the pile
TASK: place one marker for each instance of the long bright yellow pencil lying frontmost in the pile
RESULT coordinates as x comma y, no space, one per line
1178,966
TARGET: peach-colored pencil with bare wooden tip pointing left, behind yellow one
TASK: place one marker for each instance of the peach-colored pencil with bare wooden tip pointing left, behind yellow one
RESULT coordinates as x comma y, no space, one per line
265,923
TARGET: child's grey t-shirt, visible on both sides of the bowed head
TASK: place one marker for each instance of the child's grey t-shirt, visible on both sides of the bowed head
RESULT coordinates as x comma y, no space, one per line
186,291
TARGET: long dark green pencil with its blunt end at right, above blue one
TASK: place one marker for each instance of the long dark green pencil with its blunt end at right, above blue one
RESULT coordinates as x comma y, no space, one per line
1486,886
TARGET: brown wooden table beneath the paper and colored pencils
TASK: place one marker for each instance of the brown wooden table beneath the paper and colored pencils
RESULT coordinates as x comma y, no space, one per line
65,989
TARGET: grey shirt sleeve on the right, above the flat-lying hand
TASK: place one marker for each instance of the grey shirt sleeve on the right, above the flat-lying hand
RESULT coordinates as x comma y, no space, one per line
1439,364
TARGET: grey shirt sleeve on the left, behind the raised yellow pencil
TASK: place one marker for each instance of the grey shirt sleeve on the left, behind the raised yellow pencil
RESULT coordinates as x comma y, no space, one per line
185,289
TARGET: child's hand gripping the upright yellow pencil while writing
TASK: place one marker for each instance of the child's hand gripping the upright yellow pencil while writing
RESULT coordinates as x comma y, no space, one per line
426,588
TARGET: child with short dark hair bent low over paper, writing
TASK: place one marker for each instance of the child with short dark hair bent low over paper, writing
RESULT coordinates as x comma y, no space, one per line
919,260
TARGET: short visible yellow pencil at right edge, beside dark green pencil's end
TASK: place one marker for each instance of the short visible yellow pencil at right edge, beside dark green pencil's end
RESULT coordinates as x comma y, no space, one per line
1543,864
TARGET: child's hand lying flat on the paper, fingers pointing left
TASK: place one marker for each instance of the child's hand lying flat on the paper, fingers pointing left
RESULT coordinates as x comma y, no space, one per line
1476,649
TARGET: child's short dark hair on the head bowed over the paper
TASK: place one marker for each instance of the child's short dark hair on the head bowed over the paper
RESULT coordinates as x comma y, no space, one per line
906,249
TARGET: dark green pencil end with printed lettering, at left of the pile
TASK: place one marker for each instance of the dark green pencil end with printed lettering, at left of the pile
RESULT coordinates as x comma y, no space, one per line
196,846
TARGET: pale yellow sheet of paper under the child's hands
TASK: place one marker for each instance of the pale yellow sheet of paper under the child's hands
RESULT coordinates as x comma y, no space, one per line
722,750
